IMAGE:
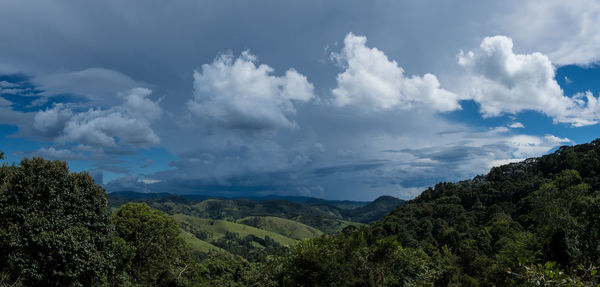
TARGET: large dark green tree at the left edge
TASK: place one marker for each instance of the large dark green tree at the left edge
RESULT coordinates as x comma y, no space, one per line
55,228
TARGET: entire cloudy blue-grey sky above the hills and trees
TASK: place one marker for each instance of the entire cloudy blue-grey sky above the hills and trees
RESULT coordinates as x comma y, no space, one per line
340,99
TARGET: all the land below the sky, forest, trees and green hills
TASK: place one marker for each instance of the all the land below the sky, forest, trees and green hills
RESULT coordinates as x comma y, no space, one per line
533,223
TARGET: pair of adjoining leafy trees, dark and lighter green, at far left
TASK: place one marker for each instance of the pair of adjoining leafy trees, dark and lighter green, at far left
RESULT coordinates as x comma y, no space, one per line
56,230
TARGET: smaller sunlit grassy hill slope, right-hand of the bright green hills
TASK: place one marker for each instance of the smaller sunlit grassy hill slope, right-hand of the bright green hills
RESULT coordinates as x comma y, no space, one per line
285,227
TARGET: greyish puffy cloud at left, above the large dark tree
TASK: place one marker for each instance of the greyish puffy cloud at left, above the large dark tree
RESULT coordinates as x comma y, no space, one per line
128,124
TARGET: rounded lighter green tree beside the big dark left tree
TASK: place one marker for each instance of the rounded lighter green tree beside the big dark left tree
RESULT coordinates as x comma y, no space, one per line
159,255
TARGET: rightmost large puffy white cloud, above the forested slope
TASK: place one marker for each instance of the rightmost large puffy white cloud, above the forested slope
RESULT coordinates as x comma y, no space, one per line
504,82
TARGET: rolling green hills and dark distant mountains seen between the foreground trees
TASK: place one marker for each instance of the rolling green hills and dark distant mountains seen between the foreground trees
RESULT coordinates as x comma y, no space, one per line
257,226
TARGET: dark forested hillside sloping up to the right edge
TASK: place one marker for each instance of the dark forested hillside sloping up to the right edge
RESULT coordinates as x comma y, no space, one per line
539,210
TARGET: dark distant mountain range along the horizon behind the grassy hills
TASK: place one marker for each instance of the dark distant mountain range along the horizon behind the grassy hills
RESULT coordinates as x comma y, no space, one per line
325,215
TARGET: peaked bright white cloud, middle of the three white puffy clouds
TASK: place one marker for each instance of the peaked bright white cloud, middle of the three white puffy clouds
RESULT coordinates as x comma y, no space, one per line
370,80
